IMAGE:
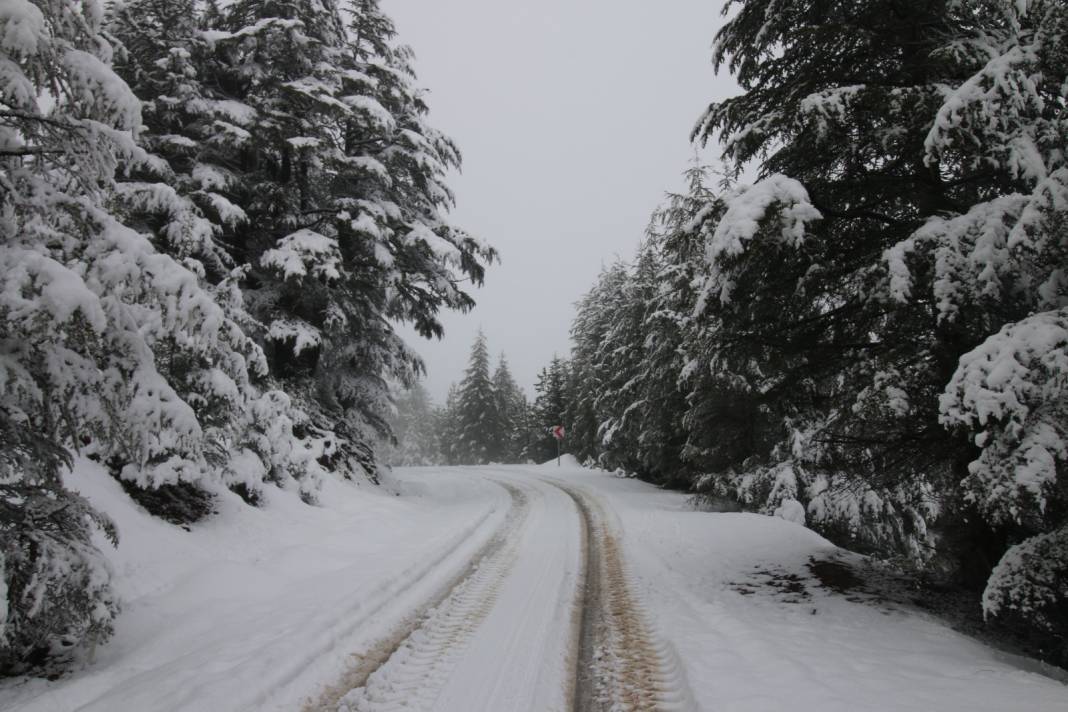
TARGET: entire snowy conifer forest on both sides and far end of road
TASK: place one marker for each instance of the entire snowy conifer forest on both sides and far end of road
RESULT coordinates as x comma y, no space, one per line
213,216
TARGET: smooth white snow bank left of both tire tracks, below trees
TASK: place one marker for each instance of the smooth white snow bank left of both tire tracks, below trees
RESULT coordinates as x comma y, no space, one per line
257,608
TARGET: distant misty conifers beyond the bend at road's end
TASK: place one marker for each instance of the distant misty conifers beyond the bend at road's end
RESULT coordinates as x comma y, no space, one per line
486,418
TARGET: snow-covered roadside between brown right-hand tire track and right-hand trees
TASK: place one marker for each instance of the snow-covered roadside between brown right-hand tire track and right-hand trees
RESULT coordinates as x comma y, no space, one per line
733,596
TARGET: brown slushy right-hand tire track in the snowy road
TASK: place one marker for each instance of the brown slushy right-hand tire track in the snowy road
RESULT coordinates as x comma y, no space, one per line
622,666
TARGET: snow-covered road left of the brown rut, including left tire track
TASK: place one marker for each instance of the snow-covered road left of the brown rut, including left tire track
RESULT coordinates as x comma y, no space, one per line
502,639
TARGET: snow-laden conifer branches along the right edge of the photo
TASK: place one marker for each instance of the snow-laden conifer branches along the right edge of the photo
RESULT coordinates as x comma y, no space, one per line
1000,271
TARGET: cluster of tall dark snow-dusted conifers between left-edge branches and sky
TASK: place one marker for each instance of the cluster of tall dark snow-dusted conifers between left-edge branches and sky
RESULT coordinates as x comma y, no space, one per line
300,151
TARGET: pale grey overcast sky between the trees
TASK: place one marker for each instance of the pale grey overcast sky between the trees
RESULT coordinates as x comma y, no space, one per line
574,119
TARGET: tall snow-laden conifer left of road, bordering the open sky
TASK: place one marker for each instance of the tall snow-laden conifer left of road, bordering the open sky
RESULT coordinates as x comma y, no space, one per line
341,180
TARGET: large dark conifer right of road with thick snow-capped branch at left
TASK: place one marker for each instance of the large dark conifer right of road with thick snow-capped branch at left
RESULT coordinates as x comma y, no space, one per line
797,278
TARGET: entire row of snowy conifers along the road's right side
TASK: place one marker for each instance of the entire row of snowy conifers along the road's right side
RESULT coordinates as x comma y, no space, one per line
873,338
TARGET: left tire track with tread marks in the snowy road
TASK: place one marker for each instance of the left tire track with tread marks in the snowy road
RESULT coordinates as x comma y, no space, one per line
409,669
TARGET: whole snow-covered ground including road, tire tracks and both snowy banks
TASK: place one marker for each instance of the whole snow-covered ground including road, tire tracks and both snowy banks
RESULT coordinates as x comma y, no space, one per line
507,589
